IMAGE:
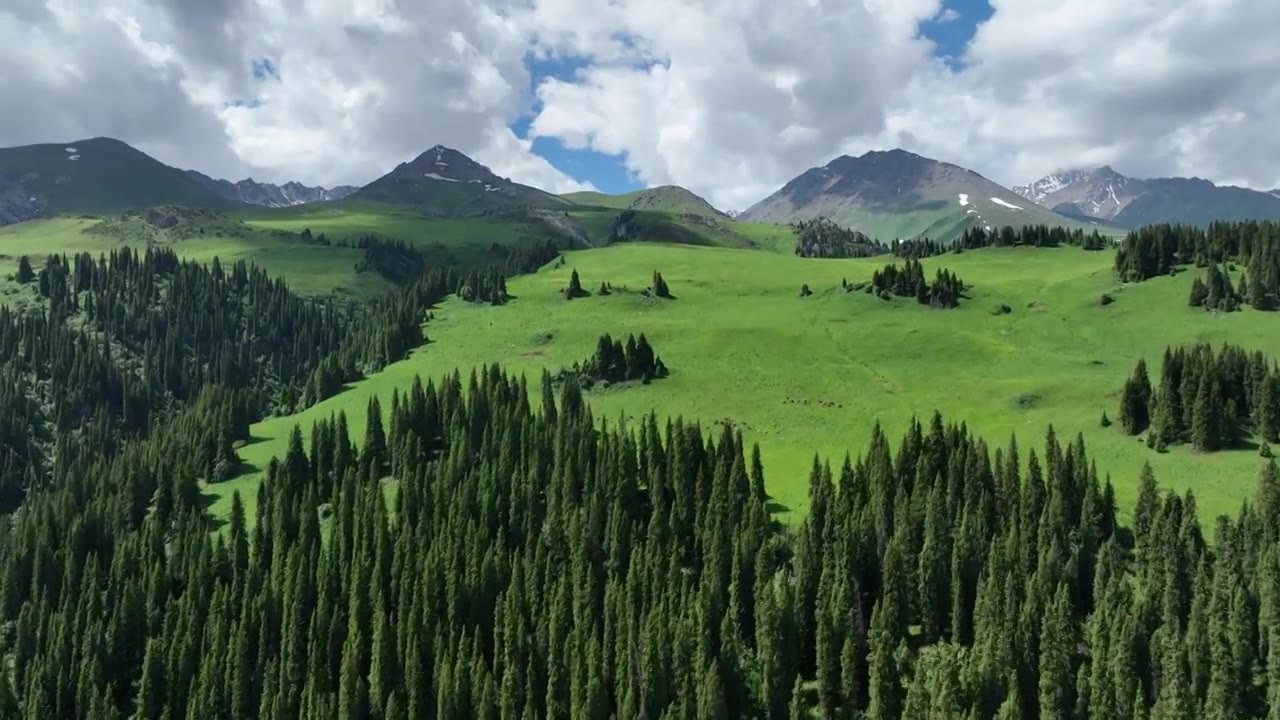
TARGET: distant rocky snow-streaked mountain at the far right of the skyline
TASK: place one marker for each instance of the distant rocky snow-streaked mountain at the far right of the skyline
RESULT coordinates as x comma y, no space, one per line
1104,194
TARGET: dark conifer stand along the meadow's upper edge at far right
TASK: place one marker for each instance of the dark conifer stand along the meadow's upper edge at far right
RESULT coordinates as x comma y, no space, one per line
1160,250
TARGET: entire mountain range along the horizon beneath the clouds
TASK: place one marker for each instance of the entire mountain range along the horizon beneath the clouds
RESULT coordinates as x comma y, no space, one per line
886,195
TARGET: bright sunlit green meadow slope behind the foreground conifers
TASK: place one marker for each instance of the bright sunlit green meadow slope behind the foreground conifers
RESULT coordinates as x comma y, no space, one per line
806,376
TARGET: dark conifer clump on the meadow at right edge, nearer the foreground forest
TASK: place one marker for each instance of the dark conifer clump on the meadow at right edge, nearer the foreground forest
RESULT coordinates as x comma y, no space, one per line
1206,398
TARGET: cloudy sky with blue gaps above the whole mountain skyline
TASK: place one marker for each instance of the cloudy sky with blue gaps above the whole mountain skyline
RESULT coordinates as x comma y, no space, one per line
728,98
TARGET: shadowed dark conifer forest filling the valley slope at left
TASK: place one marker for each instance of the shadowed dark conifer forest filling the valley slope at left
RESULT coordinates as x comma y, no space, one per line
124,341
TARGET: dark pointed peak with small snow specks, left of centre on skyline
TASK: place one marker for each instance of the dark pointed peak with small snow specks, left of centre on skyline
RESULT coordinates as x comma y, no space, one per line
446,183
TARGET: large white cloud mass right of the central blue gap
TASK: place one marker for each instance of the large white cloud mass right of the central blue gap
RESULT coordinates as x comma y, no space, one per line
748,94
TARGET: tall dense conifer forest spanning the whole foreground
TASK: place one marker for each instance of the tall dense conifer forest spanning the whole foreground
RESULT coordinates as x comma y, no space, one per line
536,566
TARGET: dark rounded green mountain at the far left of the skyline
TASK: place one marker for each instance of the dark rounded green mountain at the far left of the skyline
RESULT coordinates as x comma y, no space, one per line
98,176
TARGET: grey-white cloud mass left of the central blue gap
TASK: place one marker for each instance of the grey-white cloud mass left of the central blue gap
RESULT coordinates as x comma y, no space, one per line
354,88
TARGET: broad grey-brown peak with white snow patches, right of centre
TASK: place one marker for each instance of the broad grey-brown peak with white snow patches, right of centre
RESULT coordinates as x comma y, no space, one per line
897,195
